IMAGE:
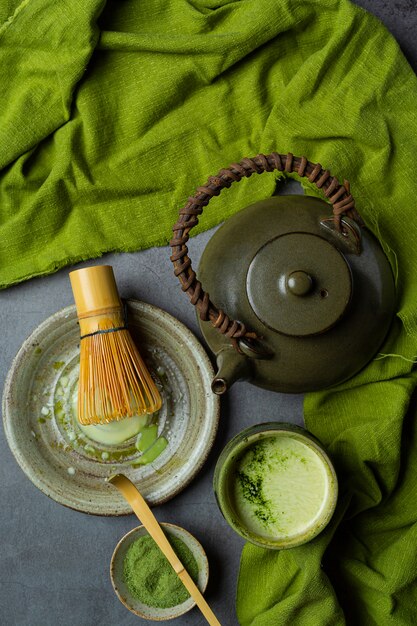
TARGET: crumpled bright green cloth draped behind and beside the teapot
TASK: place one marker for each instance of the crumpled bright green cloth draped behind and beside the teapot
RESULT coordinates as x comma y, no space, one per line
112,113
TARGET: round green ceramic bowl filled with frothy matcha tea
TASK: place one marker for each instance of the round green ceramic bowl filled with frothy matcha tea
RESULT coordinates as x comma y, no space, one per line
275,485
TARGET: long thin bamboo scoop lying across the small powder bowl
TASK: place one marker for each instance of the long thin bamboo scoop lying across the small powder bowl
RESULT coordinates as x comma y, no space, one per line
147,518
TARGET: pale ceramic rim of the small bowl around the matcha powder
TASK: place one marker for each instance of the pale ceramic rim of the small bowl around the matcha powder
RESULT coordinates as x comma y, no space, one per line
138,607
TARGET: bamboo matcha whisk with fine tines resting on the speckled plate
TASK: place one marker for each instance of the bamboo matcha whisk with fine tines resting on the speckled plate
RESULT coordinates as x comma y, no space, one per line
114,381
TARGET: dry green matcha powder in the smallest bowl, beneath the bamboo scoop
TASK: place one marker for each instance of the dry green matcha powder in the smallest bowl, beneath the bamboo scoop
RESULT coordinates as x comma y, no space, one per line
149,576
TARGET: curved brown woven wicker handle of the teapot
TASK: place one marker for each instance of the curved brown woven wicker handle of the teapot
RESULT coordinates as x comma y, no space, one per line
338,195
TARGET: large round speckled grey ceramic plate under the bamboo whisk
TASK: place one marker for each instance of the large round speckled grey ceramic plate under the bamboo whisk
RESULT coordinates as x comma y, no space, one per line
59,458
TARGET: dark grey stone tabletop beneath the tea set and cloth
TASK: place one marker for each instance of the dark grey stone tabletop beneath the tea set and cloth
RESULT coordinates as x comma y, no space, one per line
54,562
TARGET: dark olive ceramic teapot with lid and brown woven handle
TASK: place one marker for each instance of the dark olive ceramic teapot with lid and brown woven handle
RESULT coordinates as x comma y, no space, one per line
301,297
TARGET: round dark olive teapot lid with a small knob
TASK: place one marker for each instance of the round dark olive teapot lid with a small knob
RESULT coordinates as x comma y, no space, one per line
299,284
